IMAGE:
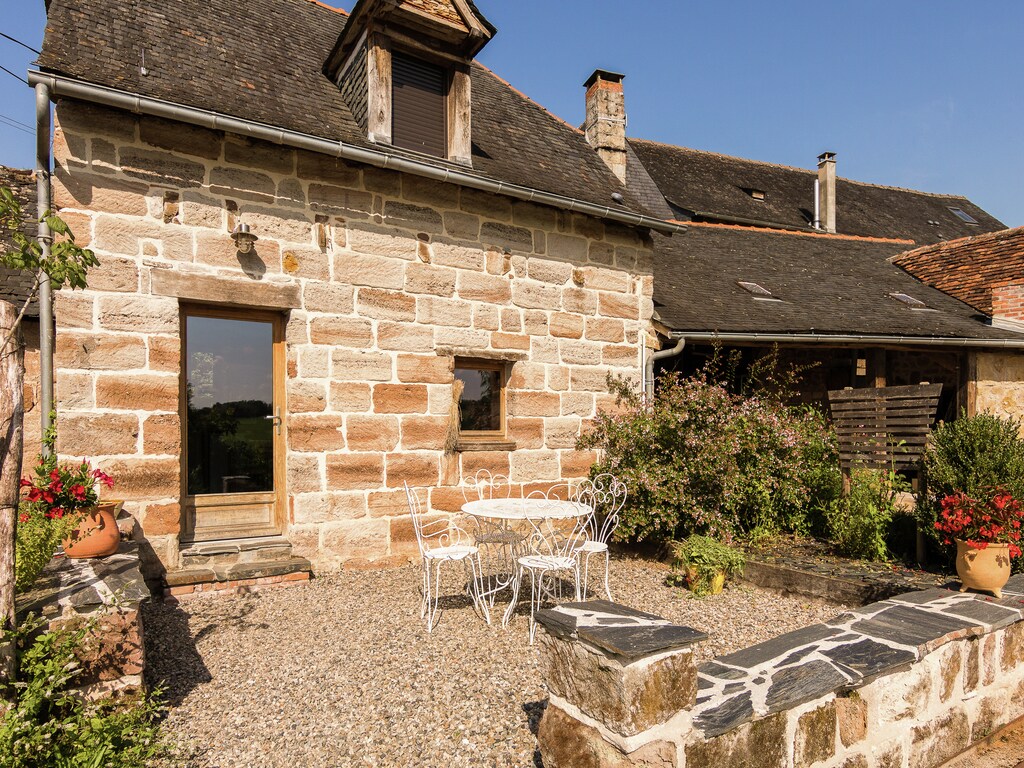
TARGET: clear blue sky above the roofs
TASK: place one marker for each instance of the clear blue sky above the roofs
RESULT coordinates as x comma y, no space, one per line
917,94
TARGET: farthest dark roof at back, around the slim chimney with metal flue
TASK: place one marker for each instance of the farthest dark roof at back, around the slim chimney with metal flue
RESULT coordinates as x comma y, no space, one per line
713,187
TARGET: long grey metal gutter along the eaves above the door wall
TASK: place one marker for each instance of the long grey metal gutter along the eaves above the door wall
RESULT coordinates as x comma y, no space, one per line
62,87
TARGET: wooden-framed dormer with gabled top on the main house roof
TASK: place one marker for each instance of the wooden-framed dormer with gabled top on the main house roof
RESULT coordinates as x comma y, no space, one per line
404,69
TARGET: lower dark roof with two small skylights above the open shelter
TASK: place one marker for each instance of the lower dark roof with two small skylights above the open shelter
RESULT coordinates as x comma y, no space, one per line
828,285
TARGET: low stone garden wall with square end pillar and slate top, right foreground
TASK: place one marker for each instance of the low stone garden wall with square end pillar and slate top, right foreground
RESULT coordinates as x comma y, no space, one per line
905,684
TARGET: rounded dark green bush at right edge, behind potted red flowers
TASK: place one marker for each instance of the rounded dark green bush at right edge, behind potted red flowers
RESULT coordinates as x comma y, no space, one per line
972,455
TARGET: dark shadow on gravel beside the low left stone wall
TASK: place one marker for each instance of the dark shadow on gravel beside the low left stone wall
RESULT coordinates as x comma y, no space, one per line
173,660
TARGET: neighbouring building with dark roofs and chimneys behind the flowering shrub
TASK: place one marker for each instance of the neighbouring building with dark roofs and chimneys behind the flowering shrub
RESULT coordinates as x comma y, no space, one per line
800,259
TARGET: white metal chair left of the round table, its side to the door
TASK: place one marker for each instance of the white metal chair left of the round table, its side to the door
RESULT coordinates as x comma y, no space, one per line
443,541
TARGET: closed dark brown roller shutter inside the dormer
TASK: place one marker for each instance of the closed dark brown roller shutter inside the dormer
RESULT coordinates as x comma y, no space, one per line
418,109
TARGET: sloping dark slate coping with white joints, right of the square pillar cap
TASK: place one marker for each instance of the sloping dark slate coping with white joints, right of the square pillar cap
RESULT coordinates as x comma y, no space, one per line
845,654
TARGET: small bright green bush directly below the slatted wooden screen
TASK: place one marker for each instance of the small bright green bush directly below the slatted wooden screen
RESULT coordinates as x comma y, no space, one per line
858,526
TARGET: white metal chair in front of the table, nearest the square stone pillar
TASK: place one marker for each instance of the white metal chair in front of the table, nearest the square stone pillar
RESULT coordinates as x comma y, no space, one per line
552,556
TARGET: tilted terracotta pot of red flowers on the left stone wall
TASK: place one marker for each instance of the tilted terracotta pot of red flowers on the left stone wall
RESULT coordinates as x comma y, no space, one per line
70,492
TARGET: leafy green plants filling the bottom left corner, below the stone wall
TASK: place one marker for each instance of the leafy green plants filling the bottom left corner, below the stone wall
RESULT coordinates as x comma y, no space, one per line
50,727
